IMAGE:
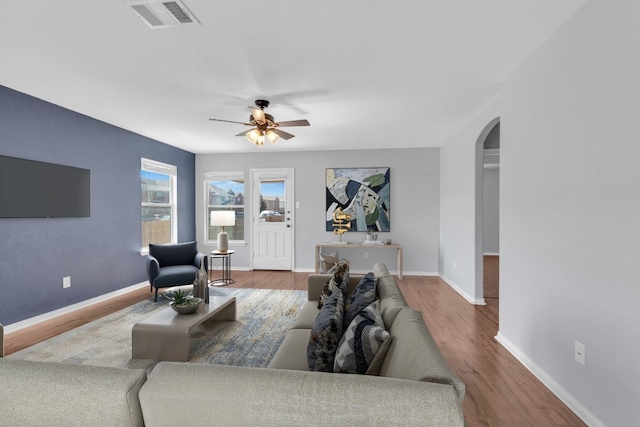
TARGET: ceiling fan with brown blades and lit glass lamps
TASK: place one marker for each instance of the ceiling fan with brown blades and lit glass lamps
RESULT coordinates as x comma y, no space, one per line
265,125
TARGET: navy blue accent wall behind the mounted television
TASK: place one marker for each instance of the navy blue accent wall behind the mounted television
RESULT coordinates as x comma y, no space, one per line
100,253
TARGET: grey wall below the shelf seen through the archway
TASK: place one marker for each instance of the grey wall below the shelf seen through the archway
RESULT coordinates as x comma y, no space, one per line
491,211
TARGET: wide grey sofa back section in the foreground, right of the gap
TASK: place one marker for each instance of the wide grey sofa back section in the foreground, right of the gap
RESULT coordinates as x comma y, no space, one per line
287,397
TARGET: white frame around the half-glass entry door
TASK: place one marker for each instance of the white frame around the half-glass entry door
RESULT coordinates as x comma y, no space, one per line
274,173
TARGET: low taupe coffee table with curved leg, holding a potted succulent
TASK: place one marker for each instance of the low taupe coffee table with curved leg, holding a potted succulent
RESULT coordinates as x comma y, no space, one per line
165,335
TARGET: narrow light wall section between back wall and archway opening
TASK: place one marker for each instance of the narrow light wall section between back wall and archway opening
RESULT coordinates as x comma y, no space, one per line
460,211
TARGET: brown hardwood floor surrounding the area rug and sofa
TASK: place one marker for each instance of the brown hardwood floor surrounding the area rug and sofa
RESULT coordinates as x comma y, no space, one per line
499,390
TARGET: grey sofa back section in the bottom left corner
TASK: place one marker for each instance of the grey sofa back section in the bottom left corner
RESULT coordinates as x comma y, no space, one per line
48,394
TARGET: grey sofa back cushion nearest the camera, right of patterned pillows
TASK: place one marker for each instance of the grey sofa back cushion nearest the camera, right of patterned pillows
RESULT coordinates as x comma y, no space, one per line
414,355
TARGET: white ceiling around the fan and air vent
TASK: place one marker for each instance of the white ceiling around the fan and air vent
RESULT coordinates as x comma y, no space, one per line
365,73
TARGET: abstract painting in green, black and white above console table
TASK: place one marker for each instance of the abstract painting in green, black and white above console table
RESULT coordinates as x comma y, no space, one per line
363,193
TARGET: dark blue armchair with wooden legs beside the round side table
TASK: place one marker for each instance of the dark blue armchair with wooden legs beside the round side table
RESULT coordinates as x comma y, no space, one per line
174,264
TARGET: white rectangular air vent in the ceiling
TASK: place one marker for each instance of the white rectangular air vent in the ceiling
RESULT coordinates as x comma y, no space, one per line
162,14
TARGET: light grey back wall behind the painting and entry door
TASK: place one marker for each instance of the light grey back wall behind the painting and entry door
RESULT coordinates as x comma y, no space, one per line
415,183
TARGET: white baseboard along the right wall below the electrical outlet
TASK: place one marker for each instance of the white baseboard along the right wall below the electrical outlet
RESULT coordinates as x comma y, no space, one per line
546,379
